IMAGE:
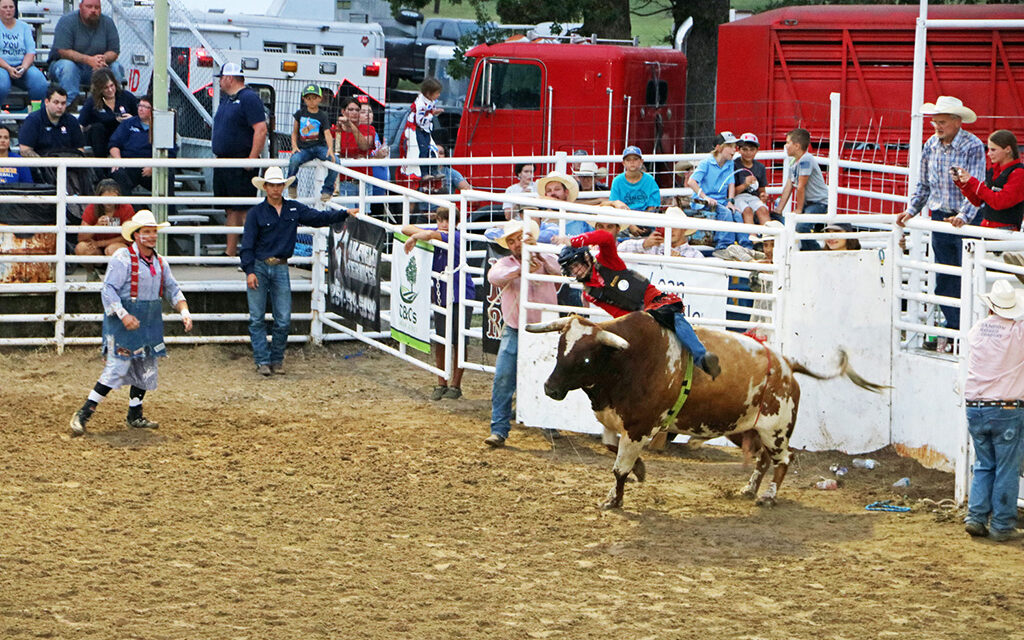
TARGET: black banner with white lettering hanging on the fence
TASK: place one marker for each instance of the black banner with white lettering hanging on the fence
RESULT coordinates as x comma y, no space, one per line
355,269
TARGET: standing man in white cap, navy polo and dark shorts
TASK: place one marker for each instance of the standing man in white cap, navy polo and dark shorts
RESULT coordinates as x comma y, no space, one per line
239,132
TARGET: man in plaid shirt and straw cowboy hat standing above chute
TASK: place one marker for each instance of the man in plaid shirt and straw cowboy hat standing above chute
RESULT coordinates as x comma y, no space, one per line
950,147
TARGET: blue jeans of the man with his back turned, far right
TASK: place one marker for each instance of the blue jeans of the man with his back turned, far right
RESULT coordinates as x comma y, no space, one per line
998,450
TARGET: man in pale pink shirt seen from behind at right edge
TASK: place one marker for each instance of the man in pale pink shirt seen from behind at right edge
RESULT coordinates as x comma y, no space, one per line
995,399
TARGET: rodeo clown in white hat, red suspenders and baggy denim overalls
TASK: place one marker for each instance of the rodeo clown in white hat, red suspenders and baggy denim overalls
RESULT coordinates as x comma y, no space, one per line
134,327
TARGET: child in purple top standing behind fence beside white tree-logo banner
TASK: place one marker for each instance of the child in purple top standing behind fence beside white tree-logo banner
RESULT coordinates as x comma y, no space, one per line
439,295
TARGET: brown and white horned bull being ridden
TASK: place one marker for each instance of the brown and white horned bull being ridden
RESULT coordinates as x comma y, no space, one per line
632,369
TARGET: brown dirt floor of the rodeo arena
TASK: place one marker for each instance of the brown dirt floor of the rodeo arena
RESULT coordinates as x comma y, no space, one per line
339,502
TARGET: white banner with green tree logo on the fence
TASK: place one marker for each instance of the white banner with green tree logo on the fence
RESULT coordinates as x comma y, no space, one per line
411,282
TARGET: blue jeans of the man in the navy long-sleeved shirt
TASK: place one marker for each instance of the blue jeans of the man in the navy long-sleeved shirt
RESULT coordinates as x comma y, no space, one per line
274,283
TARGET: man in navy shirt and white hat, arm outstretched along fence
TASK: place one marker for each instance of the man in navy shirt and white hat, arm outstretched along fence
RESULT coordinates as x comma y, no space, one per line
268,243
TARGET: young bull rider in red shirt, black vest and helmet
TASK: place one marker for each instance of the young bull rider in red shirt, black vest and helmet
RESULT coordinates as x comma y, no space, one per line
619,290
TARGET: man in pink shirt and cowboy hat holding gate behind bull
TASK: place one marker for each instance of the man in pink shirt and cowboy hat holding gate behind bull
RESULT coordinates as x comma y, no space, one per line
506,275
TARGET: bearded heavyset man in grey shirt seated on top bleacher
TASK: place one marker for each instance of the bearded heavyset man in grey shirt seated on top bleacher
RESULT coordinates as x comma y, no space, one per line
84,41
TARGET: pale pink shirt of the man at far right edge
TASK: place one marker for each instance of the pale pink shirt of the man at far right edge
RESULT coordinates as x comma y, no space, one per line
996,371
